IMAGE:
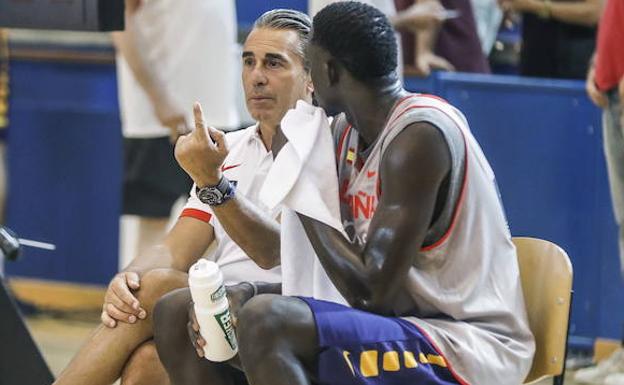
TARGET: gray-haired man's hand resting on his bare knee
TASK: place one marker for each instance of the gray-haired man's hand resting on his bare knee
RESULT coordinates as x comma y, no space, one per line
119,302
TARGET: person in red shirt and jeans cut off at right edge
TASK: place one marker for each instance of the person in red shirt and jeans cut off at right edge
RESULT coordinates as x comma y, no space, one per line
605,87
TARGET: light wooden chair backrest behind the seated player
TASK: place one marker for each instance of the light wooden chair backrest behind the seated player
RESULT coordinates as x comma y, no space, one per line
546,274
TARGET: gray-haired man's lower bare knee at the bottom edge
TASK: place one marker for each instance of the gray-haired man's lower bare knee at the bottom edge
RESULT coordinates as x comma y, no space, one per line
144,367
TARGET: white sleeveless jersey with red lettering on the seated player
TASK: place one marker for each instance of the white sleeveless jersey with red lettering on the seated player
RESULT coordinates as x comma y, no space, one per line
463,289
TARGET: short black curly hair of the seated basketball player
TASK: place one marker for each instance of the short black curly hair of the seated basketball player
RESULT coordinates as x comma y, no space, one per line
359,36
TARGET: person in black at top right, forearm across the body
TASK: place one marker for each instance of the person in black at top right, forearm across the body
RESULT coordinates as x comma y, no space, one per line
558,37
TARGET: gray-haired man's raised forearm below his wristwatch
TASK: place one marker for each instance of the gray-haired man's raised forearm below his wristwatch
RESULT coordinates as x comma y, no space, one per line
252,230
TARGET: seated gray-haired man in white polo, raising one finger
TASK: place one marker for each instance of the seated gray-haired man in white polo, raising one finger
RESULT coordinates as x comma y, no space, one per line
235,165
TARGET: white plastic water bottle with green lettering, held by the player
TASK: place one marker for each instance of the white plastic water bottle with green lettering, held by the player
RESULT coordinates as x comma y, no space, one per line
212,310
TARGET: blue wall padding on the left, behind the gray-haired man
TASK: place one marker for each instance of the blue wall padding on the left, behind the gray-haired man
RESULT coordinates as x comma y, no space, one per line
65,162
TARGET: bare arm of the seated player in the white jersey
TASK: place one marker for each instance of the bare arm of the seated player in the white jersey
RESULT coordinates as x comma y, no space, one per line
412,172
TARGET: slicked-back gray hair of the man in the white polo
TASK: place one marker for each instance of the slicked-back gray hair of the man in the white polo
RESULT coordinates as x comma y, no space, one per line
288,19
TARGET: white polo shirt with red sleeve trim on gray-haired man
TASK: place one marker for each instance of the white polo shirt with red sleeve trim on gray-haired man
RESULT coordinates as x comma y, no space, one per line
247,163
